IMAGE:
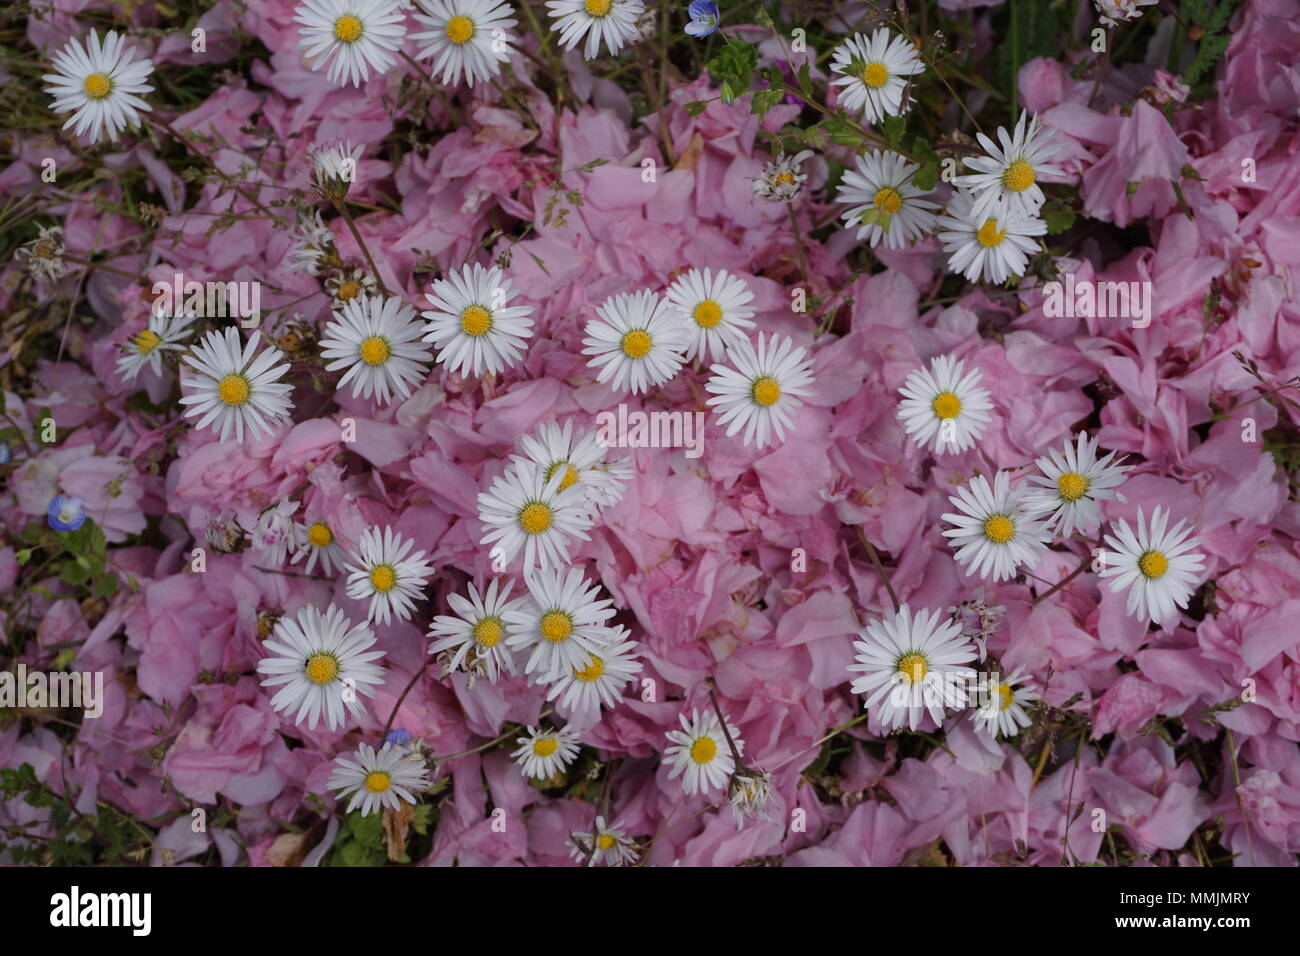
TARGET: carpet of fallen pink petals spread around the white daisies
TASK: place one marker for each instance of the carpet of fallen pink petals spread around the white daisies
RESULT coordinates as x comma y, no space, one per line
742,576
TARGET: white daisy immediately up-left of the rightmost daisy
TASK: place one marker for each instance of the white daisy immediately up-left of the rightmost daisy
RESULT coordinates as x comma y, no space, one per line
1073,485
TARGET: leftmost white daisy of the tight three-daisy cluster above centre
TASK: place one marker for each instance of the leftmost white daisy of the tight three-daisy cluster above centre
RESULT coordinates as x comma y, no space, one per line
636,344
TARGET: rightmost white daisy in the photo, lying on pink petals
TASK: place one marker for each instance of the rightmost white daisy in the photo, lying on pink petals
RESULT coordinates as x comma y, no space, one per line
1156,565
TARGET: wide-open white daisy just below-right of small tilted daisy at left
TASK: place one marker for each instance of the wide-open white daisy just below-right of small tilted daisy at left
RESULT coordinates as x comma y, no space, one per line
236,388
